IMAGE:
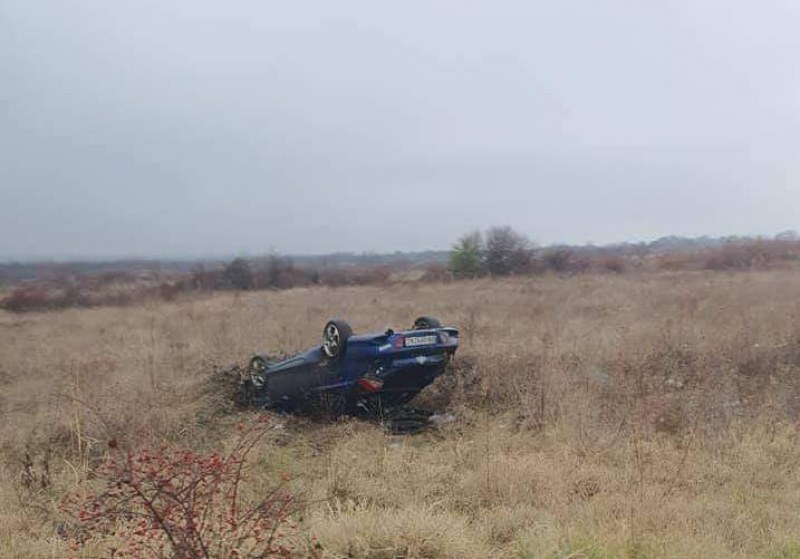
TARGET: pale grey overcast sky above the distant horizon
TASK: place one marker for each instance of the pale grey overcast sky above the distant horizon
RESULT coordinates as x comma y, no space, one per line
191,127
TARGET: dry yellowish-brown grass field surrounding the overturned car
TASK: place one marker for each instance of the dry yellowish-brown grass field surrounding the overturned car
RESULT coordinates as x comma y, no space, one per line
597,416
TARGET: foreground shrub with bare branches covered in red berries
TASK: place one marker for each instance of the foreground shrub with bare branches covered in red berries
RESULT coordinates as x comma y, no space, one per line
174,502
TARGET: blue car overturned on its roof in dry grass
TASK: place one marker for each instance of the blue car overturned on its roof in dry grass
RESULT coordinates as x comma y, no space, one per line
350,373
